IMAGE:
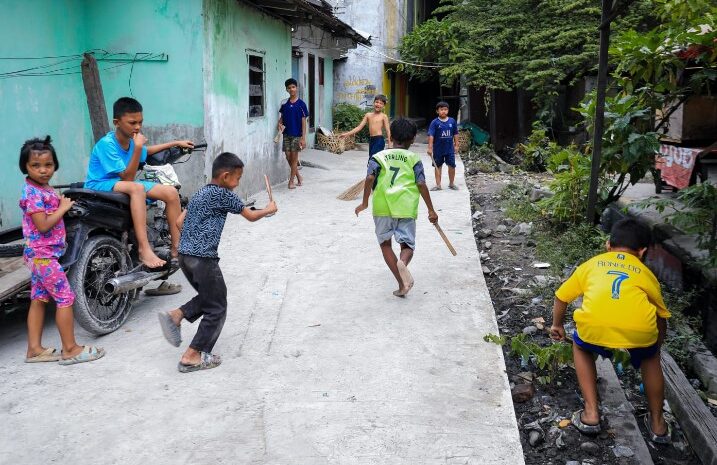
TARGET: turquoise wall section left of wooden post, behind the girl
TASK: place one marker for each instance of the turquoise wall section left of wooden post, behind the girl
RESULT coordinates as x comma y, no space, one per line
45,104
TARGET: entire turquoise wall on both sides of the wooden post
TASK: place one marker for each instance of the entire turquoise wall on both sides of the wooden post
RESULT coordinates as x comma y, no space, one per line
171,92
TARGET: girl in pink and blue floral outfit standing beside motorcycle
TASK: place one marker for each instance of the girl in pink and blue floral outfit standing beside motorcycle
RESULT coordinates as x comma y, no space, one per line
44,233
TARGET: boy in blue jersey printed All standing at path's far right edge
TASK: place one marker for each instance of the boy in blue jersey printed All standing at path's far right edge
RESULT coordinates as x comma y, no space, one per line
443,145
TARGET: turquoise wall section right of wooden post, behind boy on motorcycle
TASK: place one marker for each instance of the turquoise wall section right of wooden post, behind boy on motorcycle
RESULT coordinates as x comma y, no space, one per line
171,92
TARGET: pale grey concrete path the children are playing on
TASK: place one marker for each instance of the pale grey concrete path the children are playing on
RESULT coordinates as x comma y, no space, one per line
322,365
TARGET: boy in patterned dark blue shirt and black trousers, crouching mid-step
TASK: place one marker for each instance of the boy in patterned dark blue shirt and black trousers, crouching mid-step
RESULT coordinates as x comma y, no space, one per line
202,224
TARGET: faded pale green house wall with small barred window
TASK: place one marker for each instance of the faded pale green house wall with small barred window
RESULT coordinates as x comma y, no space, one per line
232,30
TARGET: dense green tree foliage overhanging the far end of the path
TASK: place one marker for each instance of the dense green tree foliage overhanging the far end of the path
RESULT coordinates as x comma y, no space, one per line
535,45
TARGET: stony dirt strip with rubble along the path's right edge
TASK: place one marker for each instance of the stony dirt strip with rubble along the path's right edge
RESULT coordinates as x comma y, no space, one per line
521,295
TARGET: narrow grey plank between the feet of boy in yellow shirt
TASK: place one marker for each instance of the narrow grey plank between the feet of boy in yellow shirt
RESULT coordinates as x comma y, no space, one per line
619,412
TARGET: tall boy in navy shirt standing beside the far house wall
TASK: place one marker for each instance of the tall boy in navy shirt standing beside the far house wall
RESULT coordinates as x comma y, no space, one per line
292,122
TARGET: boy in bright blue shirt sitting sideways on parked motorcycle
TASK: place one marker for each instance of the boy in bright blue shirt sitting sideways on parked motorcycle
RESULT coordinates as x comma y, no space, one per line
113,167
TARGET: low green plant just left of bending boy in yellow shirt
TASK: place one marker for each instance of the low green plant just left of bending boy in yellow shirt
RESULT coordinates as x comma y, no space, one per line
549,358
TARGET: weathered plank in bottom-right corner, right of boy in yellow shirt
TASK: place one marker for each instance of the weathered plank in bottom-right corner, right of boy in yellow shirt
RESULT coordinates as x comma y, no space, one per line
696,420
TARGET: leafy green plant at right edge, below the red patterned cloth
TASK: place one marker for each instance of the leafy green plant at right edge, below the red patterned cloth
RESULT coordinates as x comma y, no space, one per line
694,211
